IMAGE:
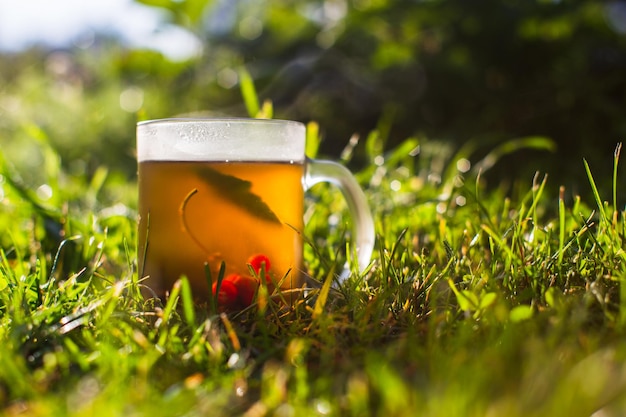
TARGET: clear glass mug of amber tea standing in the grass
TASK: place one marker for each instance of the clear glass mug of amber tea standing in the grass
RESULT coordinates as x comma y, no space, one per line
231,191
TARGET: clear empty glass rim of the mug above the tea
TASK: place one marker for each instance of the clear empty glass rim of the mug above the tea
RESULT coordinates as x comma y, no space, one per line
221,139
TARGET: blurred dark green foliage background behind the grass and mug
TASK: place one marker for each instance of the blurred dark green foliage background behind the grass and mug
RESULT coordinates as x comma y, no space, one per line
471,74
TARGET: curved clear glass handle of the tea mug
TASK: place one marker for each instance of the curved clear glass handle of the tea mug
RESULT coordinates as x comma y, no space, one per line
363,225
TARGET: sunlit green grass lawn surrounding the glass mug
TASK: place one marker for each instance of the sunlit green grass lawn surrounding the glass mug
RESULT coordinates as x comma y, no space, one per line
477,303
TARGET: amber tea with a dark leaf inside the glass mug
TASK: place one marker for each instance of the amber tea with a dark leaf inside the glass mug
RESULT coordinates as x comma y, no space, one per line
194,213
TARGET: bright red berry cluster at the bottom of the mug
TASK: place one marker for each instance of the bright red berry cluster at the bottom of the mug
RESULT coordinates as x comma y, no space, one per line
238,291
